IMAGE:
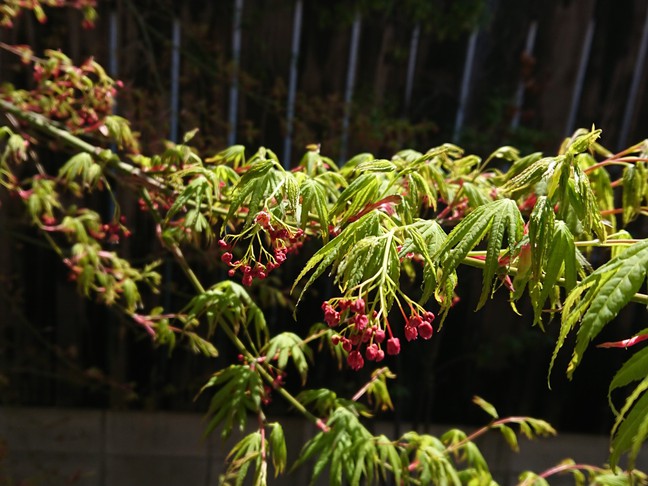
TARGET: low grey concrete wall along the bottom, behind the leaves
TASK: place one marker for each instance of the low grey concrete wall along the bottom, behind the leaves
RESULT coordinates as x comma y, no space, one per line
107,448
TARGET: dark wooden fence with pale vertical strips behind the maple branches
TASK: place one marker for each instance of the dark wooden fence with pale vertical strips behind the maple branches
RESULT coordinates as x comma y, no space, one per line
284,73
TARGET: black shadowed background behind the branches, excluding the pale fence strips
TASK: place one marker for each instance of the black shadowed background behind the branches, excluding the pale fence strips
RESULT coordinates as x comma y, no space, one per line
59,350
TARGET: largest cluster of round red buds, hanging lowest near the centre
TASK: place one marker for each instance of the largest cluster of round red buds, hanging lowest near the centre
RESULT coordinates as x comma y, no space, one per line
359,332
